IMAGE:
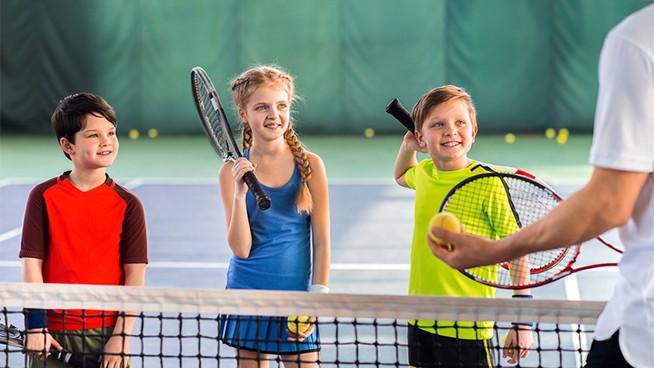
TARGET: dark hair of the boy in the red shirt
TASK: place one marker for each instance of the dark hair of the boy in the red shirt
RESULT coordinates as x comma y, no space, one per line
69,116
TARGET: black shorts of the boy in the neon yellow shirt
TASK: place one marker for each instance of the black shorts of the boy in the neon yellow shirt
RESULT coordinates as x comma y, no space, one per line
432,350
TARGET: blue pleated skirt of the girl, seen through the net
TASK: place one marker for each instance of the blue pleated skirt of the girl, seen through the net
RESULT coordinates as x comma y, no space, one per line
265,335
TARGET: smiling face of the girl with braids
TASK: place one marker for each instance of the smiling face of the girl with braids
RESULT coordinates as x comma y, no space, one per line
267,112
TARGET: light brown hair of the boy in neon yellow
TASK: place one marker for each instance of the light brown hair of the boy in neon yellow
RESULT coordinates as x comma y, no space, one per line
438,96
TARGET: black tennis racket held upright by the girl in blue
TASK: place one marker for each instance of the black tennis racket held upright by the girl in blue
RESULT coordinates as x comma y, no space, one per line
220,135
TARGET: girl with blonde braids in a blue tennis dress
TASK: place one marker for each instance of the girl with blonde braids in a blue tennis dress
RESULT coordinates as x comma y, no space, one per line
286,247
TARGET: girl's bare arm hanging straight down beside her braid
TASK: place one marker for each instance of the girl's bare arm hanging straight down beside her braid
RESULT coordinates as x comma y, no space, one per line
320,221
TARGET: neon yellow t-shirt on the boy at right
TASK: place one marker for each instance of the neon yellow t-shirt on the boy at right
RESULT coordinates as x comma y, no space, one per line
428,274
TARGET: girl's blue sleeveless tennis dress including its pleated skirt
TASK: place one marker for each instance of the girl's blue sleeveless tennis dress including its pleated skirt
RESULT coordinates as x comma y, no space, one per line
280,259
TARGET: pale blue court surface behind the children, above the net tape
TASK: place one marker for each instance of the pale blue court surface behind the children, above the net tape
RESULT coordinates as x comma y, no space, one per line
371,223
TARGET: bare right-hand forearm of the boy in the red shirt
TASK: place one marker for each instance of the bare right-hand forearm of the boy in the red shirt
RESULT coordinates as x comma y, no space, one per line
119,343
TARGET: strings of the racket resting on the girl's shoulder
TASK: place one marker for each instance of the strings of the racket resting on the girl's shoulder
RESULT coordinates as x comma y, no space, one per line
211,121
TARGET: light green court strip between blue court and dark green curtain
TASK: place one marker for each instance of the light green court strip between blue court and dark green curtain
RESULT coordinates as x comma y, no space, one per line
346,157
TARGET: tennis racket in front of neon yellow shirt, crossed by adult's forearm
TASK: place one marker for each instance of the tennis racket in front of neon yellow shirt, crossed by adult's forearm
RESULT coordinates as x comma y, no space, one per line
506,202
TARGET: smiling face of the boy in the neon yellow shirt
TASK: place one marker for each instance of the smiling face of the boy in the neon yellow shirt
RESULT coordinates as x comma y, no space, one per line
448,133
